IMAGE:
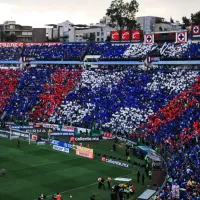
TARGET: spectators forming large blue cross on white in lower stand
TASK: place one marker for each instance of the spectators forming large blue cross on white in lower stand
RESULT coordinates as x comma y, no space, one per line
123,97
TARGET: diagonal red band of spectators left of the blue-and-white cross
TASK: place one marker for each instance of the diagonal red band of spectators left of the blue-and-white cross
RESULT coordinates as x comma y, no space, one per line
62,82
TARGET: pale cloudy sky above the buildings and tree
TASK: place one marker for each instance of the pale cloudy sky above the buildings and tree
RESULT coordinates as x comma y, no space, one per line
37,13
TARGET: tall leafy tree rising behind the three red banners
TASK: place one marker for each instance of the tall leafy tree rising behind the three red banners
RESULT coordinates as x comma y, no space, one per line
123,14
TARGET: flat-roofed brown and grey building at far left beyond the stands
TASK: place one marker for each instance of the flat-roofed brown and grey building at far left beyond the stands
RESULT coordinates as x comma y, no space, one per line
21,33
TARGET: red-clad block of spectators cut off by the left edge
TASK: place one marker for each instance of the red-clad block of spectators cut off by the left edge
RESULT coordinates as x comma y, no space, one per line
9,79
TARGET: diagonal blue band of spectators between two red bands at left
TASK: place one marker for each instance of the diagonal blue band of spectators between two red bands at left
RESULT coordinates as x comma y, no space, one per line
26,94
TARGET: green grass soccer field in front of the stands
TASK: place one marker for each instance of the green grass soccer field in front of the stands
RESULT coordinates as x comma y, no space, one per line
32,170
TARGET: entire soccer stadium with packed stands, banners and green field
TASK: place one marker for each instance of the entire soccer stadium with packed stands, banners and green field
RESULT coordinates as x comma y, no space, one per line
117,119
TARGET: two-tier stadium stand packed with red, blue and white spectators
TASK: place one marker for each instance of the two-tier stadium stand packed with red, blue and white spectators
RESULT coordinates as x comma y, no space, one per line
160,105
